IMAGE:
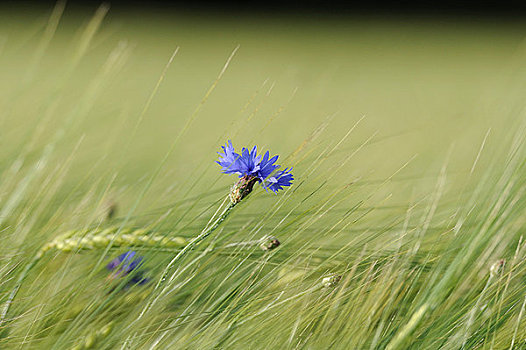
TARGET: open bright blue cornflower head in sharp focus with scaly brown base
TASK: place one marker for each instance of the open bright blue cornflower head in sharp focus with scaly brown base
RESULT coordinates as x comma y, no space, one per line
252,168
